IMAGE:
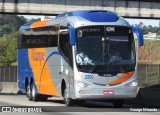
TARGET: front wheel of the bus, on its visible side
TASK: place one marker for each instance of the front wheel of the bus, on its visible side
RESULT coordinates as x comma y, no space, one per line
68,101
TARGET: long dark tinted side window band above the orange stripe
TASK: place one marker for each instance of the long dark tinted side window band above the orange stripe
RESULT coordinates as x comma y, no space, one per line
38,38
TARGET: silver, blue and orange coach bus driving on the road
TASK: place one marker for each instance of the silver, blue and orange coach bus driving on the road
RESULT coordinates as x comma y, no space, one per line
49,50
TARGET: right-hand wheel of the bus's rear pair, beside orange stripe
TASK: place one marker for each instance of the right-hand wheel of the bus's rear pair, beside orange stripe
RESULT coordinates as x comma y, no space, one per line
35,97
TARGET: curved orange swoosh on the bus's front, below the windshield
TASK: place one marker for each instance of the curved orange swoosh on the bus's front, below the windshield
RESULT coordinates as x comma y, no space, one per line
124,77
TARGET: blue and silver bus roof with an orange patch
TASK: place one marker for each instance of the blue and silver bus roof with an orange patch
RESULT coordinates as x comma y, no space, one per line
102,16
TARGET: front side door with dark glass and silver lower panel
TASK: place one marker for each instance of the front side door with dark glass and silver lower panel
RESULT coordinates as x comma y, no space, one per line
66,51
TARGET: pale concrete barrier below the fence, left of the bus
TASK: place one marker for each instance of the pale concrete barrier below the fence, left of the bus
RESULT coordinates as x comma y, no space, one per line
8,87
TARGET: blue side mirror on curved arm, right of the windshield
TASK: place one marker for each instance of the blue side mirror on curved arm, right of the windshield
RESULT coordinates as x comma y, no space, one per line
139,34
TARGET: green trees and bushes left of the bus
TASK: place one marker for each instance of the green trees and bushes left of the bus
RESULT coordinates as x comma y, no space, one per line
9,26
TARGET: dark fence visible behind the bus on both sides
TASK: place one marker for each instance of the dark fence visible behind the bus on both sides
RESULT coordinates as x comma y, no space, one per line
148,74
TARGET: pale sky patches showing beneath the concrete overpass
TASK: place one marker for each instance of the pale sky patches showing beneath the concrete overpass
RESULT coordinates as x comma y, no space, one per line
146,22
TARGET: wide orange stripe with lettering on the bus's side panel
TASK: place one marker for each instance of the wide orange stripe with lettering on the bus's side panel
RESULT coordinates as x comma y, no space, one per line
43,79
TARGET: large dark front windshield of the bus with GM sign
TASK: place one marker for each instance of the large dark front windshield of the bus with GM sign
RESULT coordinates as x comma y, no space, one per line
102,49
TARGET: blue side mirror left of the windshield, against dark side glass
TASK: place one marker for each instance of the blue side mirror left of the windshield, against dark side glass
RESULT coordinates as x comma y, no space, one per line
72,34
